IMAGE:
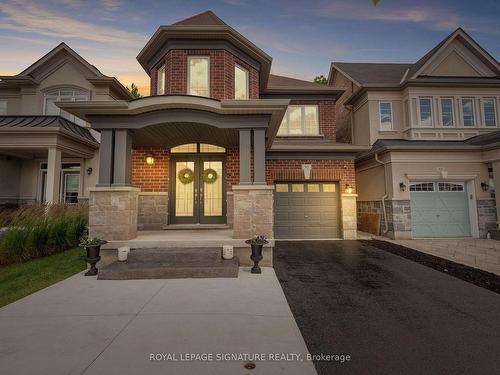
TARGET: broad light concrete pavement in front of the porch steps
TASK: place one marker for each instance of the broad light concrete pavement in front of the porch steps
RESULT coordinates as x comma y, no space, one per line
85,326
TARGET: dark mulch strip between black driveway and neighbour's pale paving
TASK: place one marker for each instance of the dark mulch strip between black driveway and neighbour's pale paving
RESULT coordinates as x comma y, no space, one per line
472,275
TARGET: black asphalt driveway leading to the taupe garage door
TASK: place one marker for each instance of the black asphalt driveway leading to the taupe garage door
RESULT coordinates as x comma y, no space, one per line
391,315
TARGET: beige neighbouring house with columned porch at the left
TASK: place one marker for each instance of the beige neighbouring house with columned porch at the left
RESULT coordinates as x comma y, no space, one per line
46,154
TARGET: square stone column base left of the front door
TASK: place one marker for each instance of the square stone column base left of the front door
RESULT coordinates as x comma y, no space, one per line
113,212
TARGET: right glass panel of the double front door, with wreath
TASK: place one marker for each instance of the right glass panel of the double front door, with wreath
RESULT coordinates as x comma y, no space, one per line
212,188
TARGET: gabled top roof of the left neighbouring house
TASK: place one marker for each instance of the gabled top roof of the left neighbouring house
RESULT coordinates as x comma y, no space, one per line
27,76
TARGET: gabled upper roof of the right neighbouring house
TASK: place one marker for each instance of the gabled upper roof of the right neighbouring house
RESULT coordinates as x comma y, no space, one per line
394,75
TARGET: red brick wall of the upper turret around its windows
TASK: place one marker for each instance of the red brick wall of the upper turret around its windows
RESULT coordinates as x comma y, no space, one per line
221,73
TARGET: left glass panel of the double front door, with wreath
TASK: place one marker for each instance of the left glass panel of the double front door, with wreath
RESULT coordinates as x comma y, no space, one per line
184,188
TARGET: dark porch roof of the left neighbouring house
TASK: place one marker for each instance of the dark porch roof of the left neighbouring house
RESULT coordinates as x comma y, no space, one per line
56,122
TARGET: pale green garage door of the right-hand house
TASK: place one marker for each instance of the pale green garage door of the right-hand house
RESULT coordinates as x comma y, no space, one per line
439,209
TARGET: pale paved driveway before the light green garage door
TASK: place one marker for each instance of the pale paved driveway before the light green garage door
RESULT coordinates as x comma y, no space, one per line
474,252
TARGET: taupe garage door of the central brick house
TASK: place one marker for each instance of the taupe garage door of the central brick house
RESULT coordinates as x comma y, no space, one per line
306,210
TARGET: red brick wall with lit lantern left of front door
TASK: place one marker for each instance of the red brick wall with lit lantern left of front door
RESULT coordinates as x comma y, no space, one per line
150,178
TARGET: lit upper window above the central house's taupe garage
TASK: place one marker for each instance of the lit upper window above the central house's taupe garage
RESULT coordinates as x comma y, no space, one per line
300,120
